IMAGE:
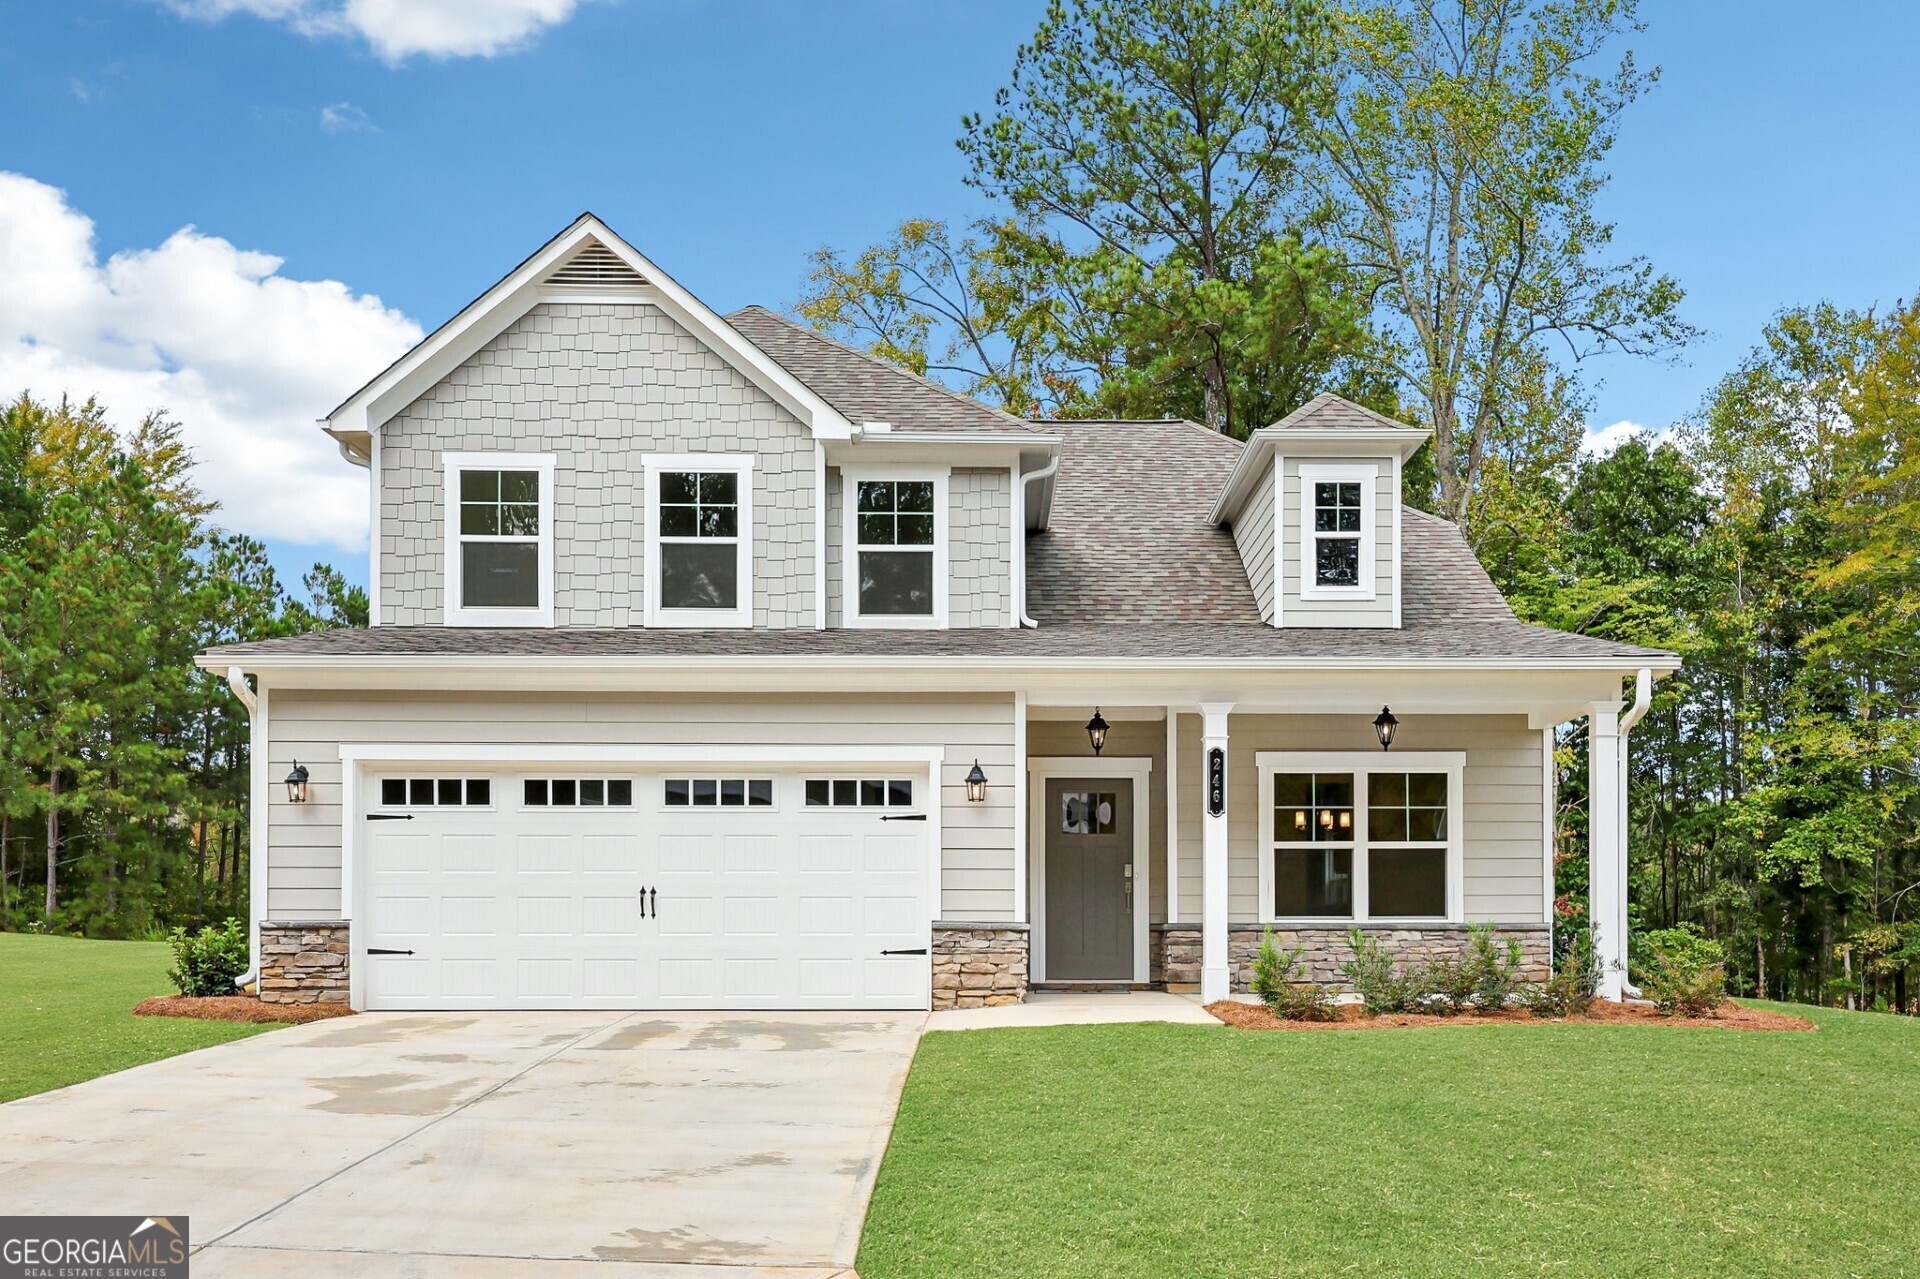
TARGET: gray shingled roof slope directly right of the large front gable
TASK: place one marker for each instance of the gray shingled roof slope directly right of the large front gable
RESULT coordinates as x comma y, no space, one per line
867,389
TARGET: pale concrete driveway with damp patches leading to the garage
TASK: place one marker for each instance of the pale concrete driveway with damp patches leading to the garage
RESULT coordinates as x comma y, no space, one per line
489,1146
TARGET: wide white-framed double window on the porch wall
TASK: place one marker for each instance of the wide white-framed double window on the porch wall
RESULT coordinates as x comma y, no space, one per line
1360,836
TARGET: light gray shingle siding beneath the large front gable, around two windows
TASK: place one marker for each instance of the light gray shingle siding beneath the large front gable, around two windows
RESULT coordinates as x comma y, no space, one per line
598,385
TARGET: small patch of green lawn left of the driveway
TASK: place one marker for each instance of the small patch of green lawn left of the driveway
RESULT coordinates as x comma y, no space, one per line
66,1011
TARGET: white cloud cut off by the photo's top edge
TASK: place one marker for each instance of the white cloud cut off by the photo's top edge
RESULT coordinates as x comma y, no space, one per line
400,30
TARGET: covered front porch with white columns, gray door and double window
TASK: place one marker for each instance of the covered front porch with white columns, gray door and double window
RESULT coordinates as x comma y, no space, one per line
1163,859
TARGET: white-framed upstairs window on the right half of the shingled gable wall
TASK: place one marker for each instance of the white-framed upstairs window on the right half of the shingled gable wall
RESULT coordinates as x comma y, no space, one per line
700,541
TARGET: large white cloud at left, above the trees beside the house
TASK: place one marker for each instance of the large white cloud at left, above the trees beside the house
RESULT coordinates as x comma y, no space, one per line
243,356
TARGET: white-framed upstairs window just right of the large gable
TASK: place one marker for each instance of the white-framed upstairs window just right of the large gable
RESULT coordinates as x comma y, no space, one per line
896,541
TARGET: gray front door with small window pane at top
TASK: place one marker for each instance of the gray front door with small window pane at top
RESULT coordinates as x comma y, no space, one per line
1090,881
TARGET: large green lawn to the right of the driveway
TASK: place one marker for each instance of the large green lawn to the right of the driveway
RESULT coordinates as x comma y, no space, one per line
1562,1151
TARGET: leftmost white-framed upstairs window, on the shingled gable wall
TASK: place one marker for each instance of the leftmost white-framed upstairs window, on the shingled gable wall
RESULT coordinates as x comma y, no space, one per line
500,539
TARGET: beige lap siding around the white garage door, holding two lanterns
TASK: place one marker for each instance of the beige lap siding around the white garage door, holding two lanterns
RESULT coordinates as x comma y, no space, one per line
304,840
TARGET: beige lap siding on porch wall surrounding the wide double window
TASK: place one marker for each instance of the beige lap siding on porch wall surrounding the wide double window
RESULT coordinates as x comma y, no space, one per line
1502,806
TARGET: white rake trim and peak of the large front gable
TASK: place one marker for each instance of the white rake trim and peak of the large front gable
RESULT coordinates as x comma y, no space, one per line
585,243
